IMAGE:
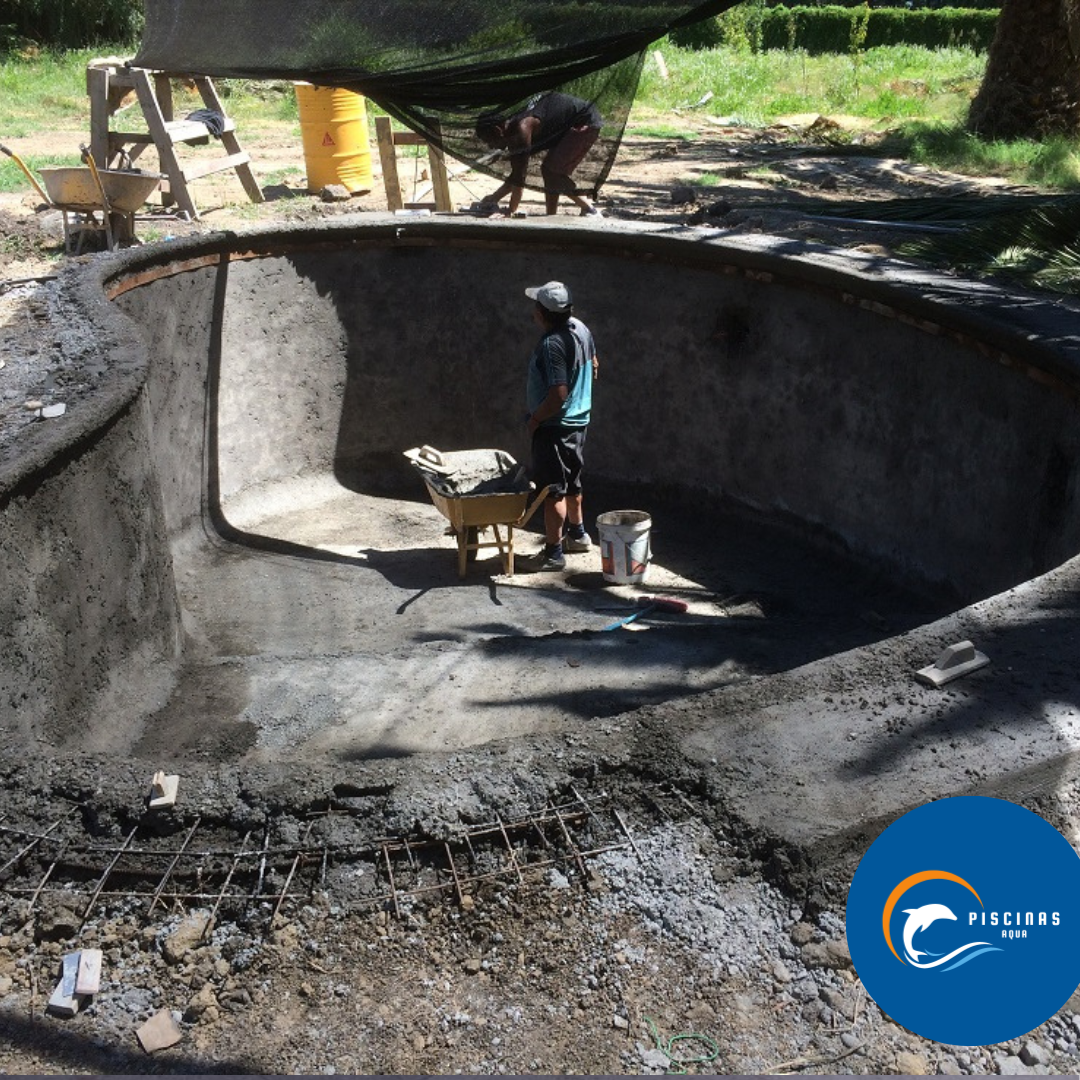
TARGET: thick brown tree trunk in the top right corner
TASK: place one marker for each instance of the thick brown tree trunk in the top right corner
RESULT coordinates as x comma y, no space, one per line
1032,87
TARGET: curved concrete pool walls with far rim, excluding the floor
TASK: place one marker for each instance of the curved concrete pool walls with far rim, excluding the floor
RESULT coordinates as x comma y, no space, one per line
906,417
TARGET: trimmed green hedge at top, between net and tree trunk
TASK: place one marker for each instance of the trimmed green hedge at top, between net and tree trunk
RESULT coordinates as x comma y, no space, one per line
836,30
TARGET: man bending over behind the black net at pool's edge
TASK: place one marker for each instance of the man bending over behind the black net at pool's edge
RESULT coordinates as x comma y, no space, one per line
559,126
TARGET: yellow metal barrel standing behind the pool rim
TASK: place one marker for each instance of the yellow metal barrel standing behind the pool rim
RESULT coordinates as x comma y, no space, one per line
334,127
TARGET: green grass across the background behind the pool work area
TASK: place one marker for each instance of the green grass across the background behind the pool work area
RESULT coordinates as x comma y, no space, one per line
919,96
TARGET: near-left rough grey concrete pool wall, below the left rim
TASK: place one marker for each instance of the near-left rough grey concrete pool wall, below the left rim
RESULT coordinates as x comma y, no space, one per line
88,611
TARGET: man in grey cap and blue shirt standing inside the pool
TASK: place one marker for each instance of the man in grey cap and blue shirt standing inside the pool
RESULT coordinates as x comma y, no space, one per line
560,397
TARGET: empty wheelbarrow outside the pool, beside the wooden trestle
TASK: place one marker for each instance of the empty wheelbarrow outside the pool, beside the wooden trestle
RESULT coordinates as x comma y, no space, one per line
86,192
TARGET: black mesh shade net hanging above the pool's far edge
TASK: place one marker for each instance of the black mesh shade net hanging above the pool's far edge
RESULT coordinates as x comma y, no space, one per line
437,66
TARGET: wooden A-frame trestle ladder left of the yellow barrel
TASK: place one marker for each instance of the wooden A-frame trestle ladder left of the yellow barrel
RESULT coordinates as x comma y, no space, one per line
110,84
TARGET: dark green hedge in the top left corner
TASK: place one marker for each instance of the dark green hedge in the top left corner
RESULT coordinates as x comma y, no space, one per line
71,24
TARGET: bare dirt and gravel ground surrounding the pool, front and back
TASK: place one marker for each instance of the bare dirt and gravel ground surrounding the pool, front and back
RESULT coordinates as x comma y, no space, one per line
683,925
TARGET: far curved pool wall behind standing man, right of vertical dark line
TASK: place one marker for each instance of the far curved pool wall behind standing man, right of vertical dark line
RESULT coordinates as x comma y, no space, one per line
904,445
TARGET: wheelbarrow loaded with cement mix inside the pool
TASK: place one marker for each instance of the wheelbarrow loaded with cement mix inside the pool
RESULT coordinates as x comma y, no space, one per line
476,491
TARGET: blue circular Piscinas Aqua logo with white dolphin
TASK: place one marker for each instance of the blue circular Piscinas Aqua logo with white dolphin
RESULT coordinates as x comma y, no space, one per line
964,921
